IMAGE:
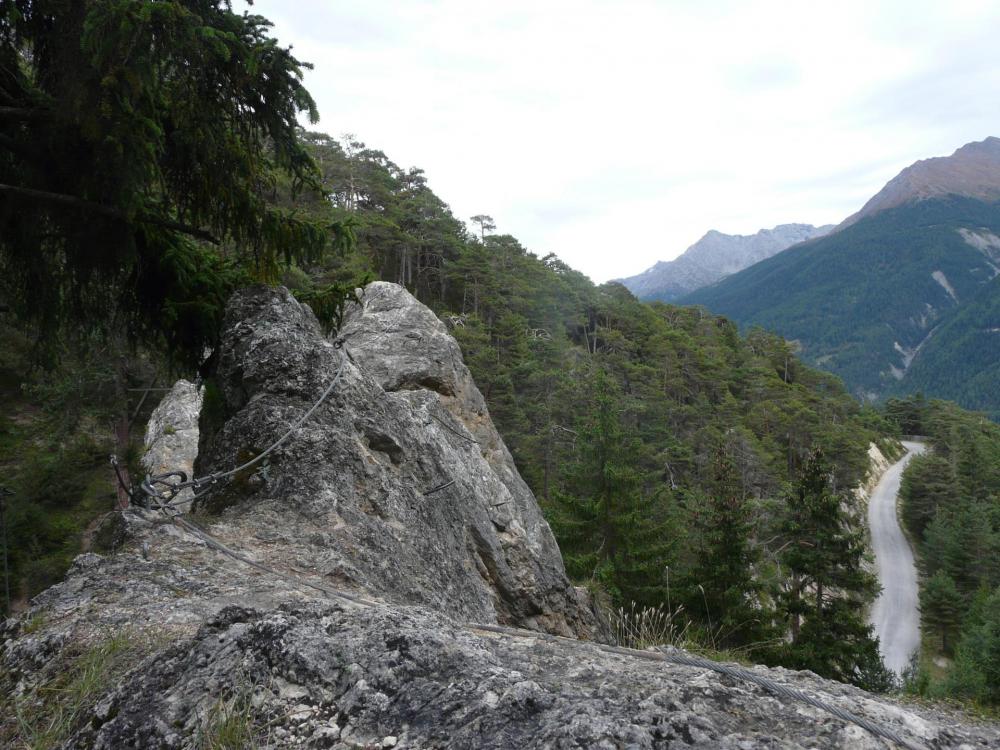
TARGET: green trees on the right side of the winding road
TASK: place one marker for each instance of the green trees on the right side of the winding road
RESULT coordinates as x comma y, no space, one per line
951,506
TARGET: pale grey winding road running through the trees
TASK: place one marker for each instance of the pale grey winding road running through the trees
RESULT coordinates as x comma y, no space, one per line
895,615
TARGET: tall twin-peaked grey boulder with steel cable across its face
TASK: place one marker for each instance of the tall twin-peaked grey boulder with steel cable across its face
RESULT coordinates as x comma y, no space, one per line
407,489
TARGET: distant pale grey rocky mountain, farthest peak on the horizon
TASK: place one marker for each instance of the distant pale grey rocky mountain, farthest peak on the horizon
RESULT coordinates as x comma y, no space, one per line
715,256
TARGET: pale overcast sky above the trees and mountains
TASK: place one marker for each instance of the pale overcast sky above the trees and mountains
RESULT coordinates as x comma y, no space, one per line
615,134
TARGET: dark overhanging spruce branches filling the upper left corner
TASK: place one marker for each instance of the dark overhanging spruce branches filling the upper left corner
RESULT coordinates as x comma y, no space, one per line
136,133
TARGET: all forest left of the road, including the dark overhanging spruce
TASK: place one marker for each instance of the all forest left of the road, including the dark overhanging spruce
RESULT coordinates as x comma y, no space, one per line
684,467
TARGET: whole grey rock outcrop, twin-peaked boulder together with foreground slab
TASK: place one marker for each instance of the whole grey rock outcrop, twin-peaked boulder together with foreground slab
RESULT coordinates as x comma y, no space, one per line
399,491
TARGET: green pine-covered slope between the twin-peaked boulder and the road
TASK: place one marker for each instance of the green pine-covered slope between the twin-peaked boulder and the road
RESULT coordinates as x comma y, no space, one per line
668,451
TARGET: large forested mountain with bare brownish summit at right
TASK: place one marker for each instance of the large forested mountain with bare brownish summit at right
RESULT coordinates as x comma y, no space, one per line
903,295
